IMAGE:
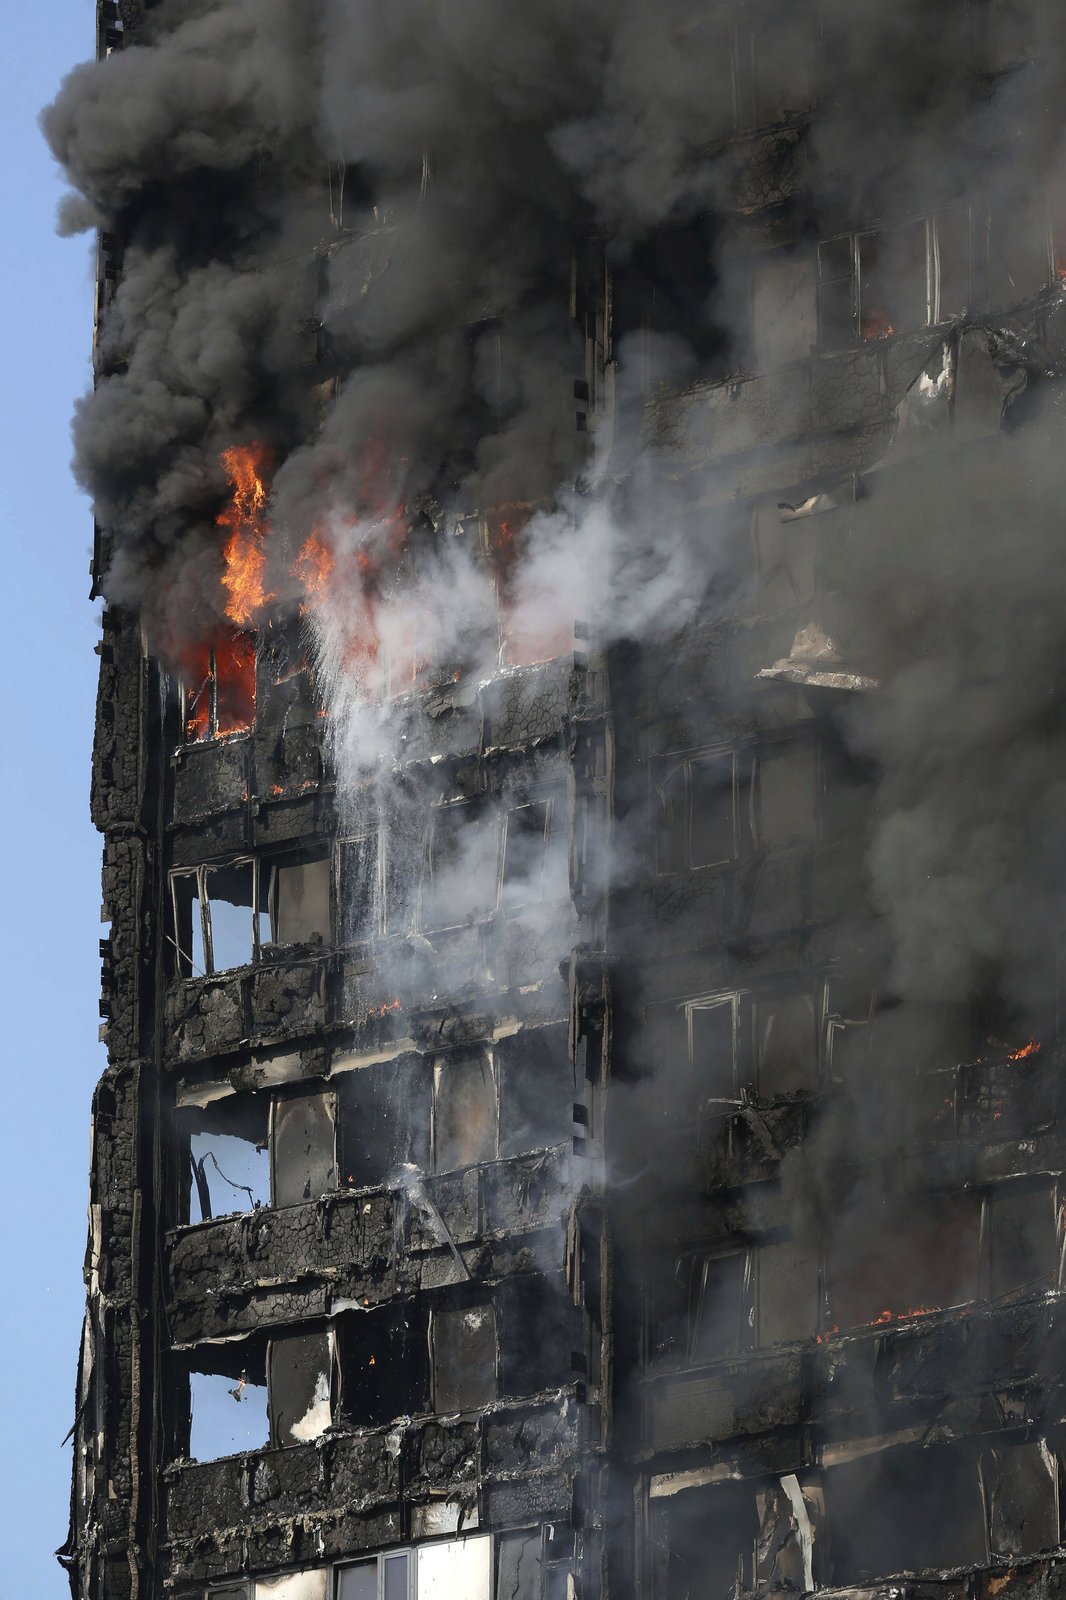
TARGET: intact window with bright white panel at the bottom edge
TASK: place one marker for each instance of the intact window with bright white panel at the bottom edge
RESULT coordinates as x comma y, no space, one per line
427,1572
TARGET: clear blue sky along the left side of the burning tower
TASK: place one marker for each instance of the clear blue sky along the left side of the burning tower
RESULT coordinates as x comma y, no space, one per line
52,855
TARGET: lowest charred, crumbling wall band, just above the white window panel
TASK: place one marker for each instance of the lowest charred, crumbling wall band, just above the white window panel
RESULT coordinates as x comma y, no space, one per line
356,1492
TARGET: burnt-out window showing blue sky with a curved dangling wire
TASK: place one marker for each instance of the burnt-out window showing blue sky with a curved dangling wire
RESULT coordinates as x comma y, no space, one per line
230,1164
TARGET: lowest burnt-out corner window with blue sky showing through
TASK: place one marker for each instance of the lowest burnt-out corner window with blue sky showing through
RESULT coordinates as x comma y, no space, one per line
226,1401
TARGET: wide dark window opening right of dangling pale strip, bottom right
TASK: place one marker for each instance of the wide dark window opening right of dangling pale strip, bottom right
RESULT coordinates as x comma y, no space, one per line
904,1511
